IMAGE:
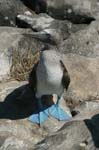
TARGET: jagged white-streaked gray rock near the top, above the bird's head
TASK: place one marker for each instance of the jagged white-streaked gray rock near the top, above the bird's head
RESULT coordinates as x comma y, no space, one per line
44,21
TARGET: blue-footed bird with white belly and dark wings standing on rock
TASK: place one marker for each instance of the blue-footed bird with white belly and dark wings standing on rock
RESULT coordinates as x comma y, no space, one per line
49,76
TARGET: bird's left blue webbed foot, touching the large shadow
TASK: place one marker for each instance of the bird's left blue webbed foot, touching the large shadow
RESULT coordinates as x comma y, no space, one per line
39,117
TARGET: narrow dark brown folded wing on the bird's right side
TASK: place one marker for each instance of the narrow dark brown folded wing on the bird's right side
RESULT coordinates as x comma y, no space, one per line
66,77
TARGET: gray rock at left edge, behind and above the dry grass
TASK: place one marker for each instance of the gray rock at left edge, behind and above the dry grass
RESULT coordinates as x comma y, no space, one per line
13,48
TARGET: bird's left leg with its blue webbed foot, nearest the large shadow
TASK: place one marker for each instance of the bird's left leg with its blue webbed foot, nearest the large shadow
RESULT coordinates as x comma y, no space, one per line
41,115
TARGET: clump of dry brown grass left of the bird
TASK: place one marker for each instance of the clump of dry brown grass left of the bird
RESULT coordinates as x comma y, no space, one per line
22,65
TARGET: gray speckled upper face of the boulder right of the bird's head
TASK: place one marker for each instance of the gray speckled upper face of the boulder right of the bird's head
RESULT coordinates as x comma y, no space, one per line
84,42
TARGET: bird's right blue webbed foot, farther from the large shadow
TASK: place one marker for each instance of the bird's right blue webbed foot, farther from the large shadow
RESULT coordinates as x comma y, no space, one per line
59,113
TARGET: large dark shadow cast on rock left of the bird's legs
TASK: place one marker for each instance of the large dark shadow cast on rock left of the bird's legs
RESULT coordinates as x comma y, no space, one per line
19,104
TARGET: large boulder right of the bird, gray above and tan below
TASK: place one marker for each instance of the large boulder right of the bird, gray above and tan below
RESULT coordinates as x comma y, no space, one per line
81,53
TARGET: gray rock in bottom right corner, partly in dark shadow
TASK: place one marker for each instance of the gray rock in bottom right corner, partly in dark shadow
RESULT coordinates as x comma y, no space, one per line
75,135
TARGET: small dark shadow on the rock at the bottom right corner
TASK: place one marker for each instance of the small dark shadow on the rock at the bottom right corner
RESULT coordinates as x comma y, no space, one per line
93,126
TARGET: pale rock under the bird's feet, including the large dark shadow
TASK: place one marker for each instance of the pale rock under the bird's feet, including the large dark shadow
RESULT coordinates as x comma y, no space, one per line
17,103
